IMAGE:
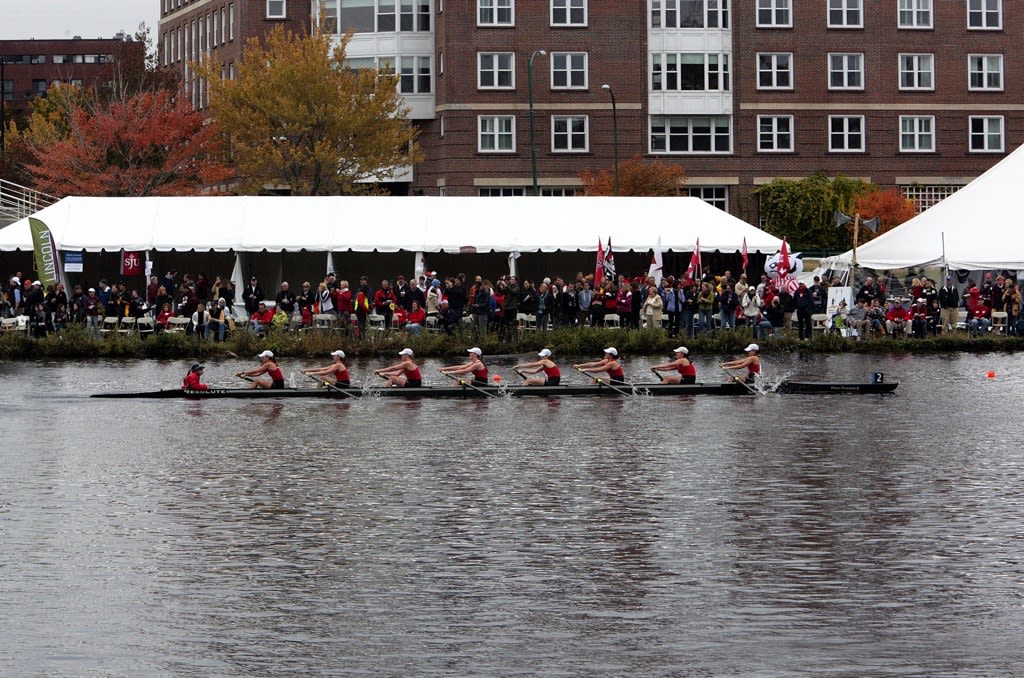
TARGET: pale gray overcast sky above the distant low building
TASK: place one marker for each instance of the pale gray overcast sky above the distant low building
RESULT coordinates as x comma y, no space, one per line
21,20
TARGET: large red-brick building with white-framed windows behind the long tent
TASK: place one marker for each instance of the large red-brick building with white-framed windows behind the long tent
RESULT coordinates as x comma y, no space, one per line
914,95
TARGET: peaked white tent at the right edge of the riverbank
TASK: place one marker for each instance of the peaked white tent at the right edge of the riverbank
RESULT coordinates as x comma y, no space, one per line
975,229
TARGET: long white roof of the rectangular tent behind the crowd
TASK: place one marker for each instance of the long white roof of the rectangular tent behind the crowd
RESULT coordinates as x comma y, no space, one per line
388,225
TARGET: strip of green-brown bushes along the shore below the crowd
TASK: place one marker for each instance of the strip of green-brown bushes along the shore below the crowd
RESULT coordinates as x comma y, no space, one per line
73,343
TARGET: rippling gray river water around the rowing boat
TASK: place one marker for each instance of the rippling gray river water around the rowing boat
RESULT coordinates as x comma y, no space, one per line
770,536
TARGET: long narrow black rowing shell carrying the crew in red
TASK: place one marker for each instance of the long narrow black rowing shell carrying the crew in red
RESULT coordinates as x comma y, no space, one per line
464,392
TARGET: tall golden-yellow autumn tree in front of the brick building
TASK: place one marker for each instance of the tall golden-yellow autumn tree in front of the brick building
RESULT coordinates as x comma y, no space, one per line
297,116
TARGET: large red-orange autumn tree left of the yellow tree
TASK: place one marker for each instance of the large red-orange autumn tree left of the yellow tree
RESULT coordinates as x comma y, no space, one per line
149,144
